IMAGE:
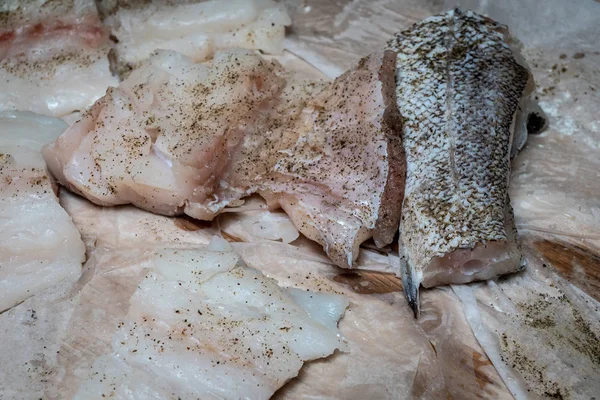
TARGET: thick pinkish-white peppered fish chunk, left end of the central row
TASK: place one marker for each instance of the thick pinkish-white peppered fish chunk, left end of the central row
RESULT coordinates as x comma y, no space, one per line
164,138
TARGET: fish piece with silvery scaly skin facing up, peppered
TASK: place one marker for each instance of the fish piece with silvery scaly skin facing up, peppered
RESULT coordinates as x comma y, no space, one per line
459,85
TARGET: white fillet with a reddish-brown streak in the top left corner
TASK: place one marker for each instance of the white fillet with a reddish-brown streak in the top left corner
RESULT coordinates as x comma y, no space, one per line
53,56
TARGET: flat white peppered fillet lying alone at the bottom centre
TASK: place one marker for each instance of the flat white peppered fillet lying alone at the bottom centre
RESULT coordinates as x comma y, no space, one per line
203,325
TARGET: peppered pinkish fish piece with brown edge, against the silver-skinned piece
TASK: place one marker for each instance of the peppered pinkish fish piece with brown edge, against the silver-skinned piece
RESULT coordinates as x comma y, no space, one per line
341,179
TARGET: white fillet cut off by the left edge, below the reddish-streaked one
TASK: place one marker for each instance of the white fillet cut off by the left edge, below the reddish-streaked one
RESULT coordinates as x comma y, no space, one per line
39,245
